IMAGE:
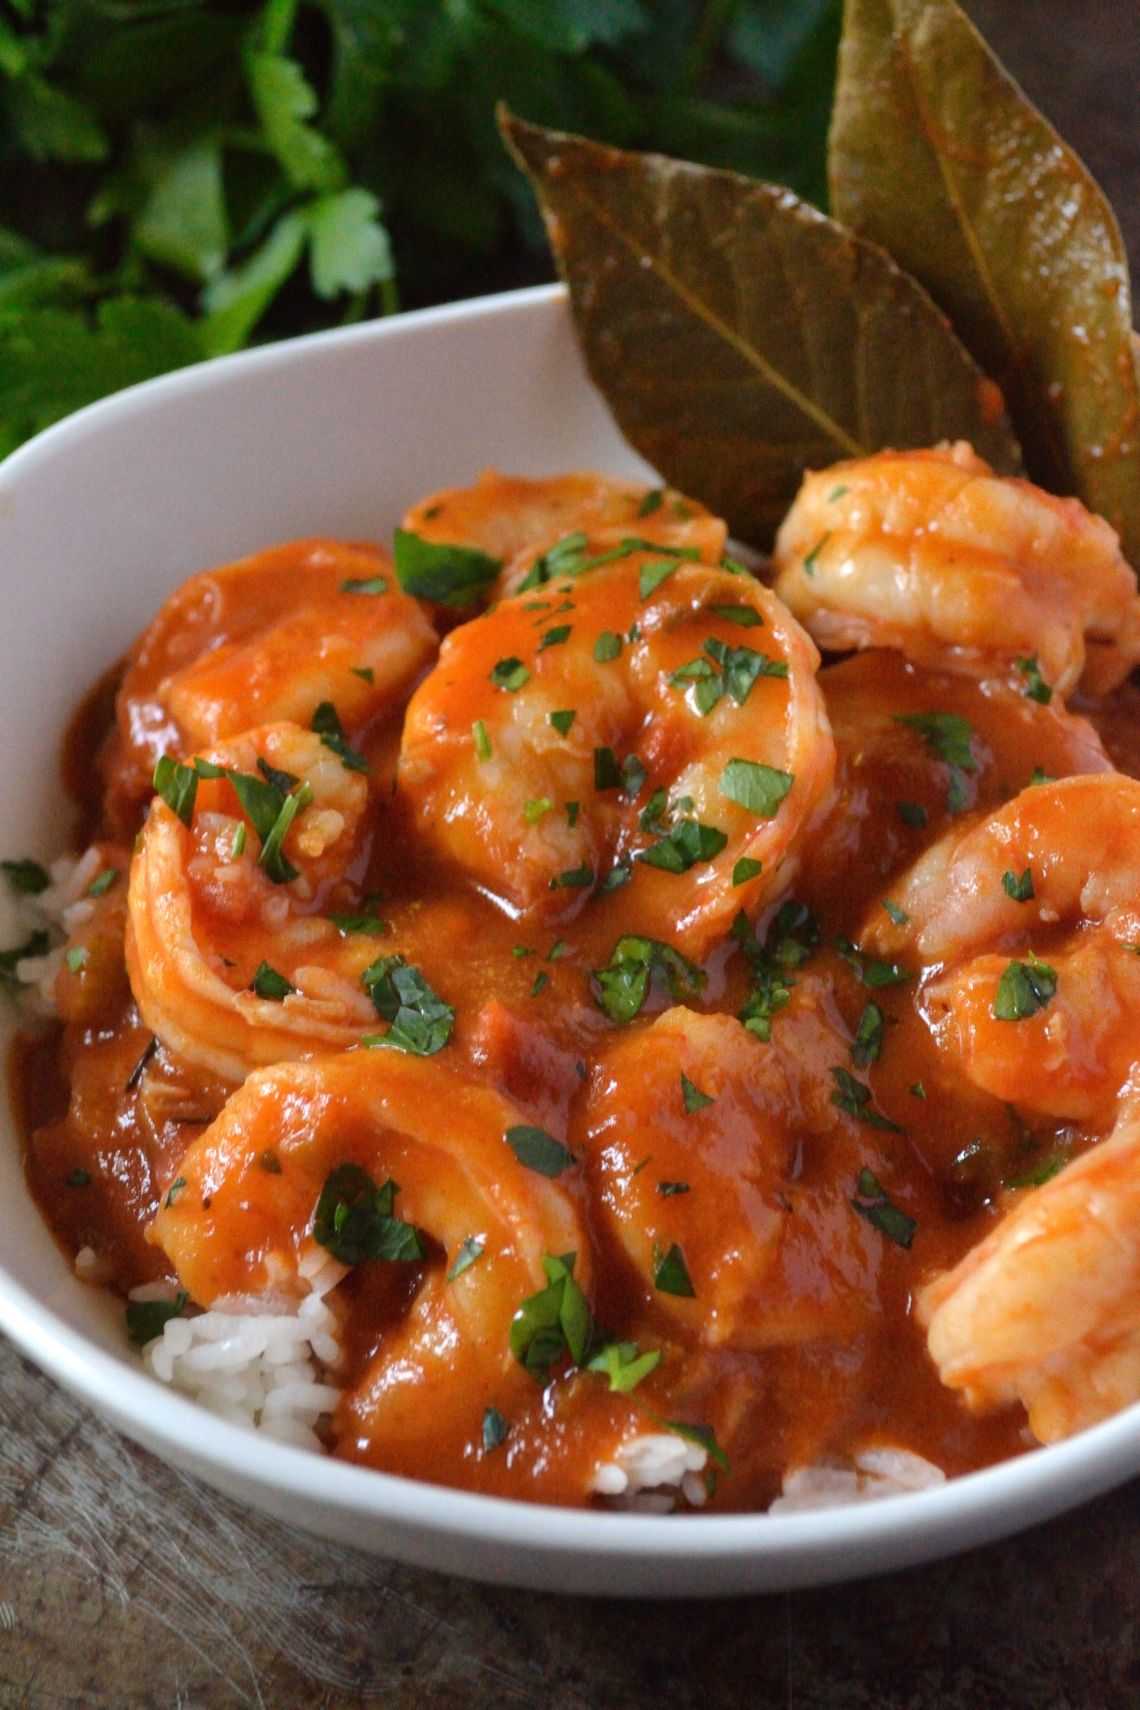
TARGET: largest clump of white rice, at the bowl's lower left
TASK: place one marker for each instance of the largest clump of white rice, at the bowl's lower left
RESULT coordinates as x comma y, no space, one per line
262,1362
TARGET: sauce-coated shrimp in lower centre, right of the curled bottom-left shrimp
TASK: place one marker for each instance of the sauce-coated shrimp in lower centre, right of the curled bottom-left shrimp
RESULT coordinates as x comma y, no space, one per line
707,1179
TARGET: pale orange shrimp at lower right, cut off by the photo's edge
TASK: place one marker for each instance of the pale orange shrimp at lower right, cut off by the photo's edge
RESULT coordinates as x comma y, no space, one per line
1045,1311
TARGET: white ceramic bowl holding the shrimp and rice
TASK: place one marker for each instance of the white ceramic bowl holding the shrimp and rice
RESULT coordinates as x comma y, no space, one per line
100,519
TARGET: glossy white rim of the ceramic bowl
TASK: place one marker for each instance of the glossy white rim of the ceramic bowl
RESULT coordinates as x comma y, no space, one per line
967,1509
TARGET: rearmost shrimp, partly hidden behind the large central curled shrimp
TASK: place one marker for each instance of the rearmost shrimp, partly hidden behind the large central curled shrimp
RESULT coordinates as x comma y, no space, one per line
519,521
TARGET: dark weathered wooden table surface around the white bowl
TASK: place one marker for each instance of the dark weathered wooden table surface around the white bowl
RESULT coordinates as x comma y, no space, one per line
126,1586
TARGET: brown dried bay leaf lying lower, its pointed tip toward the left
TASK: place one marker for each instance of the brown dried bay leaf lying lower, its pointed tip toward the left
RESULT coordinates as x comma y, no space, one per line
739,336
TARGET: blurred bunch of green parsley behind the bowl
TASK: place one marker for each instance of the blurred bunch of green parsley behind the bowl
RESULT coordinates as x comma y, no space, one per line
182,177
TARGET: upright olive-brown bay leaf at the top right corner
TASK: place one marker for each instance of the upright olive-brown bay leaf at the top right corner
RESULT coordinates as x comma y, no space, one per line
939,156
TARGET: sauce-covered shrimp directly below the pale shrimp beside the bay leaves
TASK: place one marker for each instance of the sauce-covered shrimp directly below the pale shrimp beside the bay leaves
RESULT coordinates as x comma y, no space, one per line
896,733
